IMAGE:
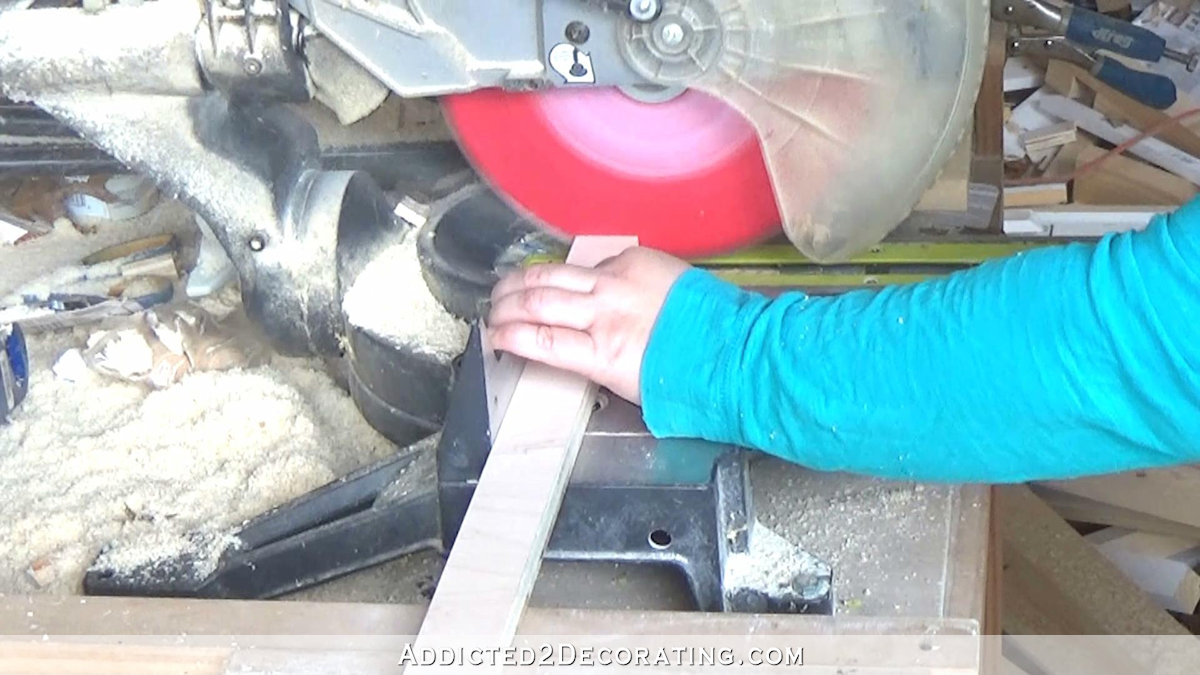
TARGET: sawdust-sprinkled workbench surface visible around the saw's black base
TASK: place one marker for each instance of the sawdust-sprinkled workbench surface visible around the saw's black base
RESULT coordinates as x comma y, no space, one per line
897,549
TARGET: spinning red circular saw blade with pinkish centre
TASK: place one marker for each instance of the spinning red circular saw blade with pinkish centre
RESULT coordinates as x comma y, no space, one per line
686,176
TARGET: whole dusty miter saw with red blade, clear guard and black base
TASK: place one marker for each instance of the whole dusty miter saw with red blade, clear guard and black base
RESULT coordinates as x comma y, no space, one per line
701,127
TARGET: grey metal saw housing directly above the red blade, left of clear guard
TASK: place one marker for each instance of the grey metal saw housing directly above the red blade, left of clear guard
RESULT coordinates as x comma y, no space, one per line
439,47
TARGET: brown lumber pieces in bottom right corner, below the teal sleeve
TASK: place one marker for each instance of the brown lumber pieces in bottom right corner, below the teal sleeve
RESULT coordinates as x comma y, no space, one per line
1078,605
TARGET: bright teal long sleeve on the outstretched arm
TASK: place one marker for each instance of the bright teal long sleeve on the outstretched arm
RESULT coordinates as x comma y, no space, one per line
1064,362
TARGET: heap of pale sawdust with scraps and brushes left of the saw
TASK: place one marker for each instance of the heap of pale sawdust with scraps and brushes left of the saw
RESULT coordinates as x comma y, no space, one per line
147,420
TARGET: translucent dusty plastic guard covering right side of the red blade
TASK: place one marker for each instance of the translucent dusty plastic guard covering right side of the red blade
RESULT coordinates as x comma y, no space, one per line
859,104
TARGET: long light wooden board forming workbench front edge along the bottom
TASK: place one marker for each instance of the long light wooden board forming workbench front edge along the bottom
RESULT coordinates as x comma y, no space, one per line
164,636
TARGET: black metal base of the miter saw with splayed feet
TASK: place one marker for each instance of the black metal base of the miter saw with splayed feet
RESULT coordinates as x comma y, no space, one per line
632,499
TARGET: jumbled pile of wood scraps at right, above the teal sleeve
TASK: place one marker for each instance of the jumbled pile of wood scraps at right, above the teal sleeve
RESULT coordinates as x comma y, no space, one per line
1073,144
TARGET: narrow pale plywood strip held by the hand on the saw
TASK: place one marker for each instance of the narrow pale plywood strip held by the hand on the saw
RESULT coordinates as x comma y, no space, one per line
496,557
